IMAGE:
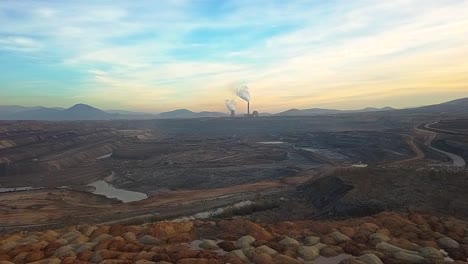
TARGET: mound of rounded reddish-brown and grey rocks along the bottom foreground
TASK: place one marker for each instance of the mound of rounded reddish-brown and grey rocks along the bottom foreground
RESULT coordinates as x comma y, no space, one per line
383,238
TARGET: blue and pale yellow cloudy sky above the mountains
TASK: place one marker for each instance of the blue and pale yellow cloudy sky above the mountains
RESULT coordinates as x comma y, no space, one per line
156,56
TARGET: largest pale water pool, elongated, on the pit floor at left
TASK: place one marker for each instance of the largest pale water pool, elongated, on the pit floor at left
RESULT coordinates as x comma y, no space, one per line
103,188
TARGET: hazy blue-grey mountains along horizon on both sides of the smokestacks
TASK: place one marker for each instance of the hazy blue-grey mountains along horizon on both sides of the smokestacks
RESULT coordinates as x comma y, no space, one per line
87,112
